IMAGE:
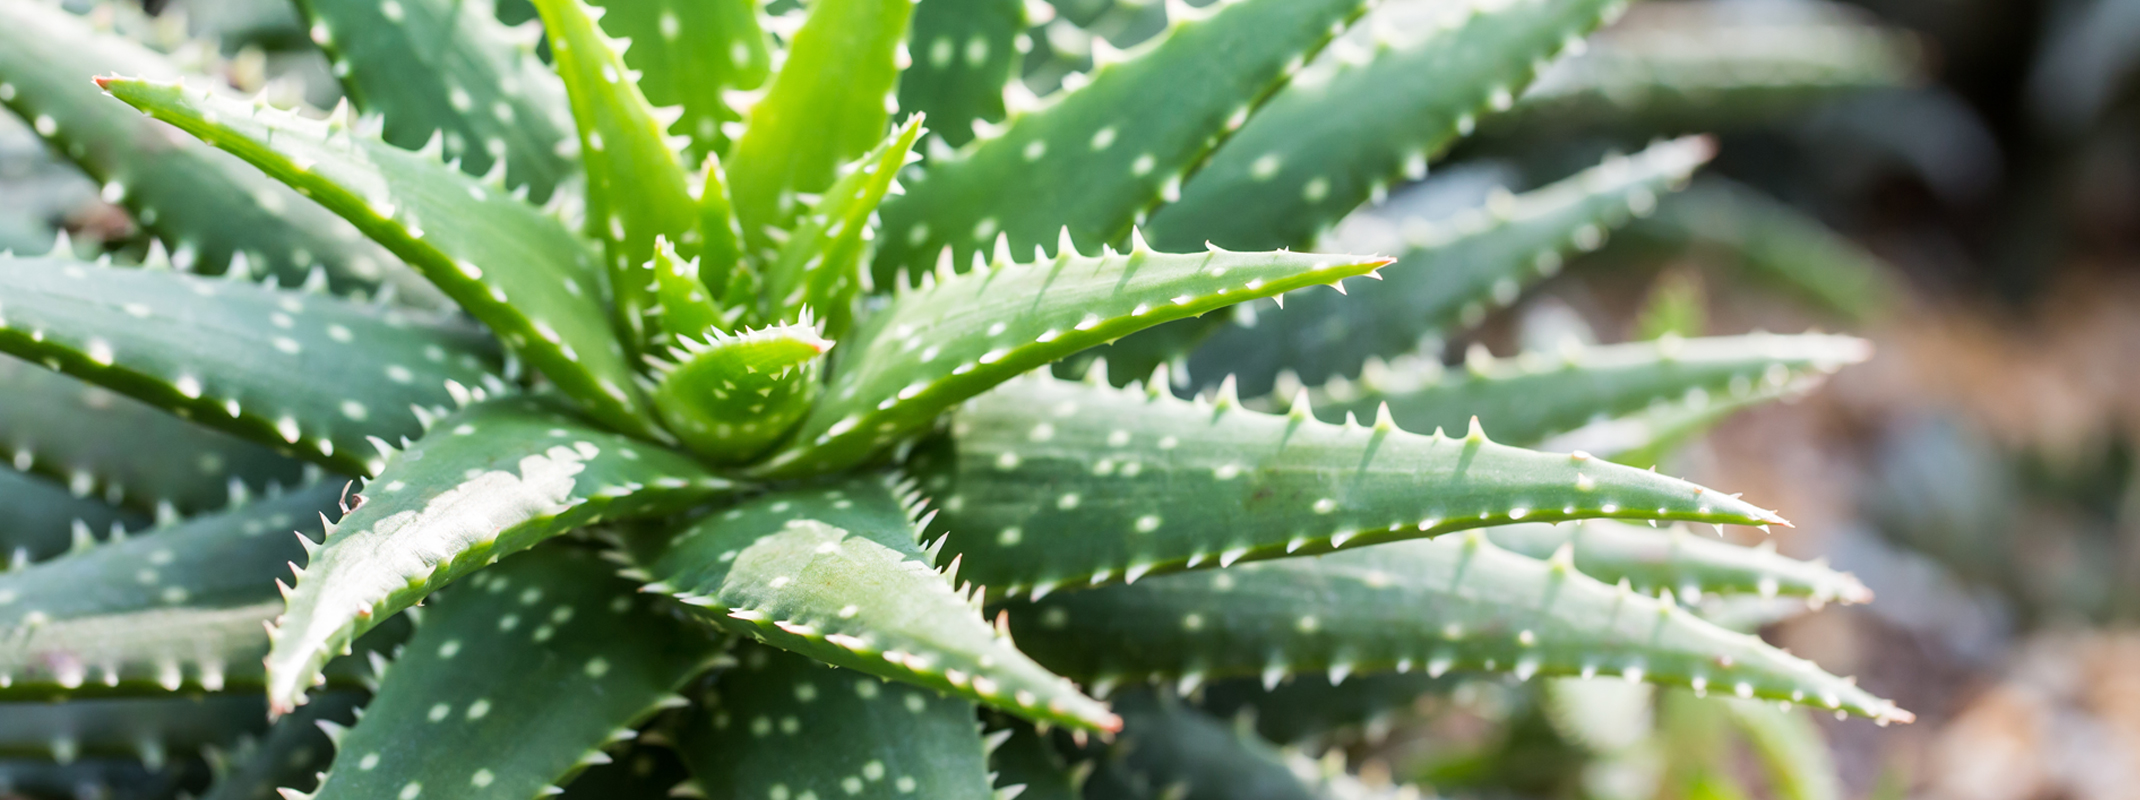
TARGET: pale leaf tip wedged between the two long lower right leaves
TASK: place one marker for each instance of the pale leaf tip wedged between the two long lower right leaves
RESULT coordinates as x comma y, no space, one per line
1679,561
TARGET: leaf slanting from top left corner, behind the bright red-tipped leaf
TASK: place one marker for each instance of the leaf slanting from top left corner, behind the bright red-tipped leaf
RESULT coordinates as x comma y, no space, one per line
200,204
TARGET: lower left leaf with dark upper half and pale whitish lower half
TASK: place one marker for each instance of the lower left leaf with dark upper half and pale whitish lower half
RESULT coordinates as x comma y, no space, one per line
183,606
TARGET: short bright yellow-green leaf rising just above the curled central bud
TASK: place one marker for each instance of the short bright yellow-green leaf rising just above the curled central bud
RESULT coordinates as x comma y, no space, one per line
821,268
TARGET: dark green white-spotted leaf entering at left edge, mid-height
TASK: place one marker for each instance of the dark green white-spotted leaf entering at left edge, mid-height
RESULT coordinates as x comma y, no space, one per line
309,373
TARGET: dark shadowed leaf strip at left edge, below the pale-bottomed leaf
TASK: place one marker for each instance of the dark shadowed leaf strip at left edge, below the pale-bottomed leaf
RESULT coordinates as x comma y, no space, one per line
153,730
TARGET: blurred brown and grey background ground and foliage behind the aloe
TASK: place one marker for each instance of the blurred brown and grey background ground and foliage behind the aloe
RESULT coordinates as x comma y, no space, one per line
1957,181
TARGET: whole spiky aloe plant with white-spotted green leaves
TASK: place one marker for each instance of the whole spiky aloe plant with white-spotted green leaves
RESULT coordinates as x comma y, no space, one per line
767,365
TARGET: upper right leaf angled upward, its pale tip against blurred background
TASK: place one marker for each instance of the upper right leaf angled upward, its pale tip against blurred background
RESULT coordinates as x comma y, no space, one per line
1450,275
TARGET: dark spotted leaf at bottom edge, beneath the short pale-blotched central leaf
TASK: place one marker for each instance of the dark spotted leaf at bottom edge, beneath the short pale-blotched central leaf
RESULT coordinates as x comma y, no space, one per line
784,726
